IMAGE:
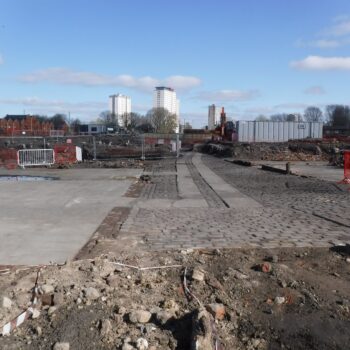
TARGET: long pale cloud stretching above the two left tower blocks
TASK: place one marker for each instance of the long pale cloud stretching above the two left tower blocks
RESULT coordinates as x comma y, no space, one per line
70,77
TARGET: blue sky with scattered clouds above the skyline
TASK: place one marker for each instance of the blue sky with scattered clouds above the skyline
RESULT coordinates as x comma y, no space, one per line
251,56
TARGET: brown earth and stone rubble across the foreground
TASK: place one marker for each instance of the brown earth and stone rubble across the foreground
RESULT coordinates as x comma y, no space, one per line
203,300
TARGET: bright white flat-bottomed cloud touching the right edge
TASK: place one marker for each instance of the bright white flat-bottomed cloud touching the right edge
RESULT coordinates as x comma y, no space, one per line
322,63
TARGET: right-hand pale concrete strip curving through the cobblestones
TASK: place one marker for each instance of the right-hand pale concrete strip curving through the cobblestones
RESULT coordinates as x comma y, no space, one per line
228,193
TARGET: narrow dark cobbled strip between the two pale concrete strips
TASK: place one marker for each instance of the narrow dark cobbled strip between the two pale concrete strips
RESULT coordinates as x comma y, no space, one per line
213,200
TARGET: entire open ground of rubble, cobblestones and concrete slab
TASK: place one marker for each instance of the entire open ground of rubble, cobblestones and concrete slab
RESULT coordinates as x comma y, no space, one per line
217,222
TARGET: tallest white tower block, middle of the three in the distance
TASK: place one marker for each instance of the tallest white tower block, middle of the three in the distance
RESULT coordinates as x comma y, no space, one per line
165,97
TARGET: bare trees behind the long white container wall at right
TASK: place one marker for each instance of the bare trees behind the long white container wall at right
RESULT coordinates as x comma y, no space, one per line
337,116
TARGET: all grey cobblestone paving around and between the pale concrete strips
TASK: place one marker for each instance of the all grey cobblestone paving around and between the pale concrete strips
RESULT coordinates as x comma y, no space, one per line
291,215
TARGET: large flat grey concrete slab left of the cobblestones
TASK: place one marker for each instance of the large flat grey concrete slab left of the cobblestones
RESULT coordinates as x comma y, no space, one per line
51,220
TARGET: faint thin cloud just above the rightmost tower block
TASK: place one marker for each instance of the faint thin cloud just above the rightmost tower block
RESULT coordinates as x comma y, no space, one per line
228,95
